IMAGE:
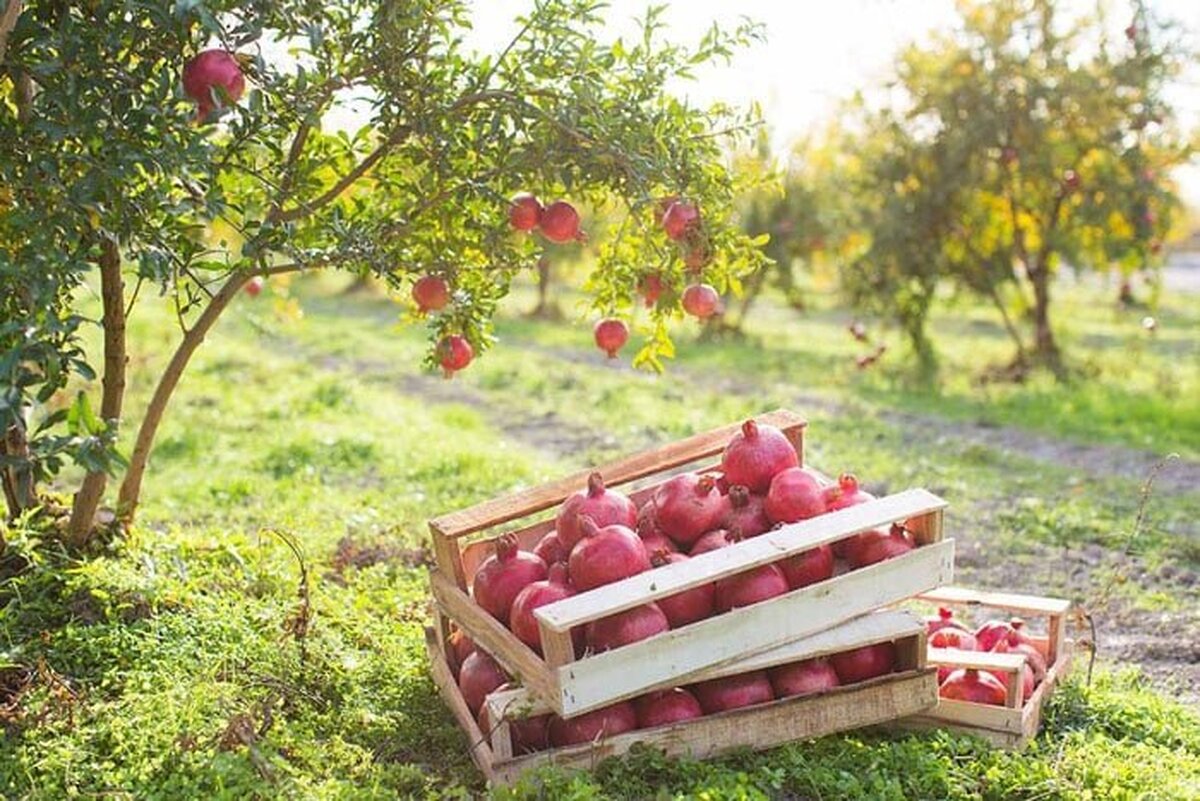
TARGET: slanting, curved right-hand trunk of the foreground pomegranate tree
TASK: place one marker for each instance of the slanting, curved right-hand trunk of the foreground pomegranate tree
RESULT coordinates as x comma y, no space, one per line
131,487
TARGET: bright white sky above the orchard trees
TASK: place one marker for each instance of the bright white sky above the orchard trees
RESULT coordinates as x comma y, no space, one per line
820,52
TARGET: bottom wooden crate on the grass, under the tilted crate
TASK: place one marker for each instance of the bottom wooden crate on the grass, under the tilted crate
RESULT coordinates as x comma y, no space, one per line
913,689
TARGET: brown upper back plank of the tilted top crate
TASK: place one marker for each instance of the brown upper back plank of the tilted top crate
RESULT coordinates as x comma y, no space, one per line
537,499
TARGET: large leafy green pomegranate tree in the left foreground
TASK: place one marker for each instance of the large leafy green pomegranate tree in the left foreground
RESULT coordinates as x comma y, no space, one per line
113,174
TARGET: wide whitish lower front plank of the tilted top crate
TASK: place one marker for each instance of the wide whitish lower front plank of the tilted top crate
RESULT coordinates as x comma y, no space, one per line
663,661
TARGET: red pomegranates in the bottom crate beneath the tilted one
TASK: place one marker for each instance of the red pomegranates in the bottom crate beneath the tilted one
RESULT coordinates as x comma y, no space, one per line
479,676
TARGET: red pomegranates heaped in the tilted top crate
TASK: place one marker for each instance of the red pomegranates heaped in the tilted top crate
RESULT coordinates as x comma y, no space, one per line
601,537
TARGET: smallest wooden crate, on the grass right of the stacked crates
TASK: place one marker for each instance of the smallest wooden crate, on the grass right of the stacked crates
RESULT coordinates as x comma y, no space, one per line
1016,724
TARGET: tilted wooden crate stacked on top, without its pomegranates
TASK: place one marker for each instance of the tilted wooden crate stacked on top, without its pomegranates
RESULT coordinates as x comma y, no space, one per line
575,686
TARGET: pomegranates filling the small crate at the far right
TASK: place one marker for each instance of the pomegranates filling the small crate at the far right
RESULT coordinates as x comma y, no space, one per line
995,636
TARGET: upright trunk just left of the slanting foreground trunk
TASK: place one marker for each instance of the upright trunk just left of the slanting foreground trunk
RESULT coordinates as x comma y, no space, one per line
112,292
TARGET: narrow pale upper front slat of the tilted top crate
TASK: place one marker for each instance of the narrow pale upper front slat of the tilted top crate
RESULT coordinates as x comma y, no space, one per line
764,550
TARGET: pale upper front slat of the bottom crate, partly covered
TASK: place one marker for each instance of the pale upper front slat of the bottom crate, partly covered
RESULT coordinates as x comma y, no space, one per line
881,627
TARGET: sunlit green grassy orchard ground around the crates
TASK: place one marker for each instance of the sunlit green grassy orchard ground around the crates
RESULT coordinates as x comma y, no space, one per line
185,664
